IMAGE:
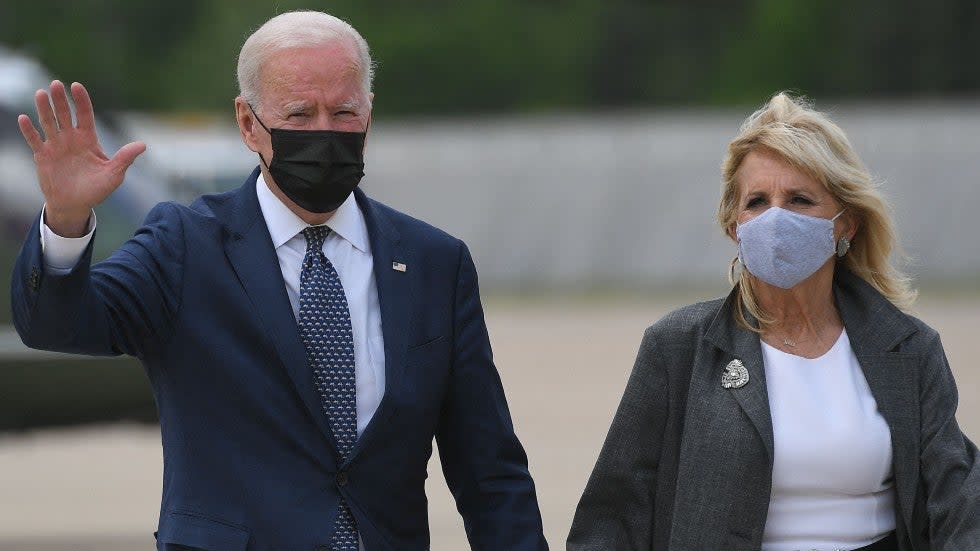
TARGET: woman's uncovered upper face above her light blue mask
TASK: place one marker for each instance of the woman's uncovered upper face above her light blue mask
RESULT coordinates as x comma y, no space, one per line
766,180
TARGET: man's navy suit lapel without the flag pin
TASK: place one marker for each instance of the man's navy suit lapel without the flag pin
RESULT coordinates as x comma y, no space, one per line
249,248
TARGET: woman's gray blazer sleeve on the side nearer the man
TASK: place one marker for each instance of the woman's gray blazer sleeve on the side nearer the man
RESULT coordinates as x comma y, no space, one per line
616,509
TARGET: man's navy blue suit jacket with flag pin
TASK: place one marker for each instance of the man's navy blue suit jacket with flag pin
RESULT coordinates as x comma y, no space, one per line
249,460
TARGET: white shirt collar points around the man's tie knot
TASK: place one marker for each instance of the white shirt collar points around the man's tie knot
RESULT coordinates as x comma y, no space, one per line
347,221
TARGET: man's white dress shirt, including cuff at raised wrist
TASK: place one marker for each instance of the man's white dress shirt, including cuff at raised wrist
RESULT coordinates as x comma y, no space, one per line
348,249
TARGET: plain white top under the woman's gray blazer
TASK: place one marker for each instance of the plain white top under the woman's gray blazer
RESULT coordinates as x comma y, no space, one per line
832,485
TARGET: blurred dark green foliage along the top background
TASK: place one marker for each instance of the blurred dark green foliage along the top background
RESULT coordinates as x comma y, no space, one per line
485,56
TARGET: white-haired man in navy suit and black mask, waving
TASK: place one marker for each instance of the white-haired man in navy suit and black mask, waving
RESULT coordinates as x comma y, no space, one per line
304,343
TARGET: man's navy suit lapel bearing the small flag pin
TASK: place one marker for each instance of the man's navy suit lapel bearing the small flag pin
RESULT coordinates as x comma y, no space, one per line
395,298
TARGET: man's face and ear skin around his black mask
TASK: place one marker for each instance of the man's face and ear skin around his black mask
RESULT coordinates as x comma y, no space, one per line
305,88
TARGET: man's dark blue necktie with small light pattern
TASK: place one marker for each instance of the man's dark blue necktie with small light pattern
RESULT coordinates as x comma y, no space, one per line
324,324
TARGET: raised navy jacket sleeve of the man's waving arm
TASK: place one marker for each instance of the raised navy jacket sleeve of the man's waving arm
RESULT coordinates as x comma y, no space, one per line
123,305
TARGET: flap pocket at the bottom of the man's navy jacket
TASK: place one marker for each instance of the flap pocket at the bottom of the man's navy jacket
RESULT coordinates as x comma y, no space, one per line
189,530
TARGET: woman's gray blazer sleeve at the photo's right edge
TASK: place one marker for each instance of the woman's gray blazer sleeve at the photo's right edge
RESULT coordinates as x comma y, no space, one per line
950,463
